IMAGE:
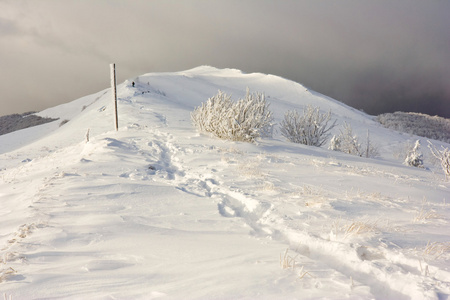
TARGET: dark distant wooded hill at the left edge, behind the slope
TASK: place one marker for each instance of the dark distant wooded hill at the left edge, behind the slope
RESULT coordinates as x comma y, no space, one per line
16,122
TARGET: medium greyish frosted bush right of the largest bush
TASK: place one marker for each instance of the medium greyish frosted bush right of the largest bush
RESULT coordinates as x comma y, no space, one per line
311,128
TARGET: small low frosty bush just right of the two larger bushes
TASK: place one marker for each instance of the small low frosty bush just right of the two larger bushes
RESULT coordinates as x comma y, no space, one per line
348,142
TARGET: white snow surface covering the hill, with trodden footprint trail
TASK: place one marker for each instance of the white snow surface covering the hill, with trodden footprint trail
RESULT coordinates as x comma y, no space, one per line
157,210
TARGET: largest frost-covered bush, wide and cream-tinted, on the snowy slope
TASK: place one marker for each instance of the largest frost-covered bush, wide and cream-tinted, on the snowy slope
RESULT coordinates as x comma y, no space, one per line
243,120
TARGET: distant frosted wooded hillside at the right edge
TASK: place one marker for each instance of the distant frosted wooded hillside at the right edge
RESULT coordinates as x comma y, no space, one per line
433,127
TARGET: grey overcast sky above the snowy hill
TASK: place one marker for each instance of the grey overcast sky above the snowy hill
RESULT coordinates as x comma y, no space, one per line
378,55
